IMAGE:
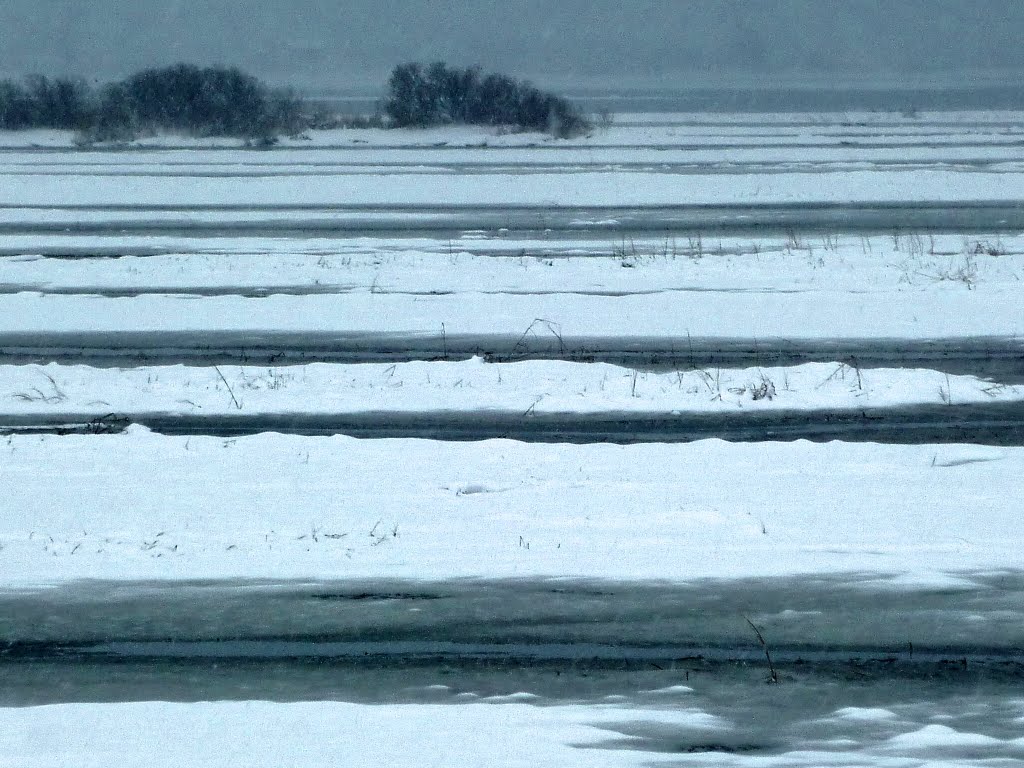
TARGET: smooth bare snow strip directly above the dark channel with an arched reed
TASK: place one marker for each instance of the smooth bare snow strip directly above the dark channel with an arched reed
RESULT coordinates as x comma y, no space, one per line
556,321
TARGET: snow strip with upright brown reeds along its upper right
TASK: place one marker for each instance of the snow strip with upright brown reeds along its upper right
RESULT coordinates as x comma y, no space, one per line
902,267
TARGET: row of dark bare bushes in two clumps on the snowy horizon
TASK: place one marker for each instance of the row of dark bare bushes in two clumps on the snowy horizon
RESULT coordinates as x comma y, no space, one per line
226,102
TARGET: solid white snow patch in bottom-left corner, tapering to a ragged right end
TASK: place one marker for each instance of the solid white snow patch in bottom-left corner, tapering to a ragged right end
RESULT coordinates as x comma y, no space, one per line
325,735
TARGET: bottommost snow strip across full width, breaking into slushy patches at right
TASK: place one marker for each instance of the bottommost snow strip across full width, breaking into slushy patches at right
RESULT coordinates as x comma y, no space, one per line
501,733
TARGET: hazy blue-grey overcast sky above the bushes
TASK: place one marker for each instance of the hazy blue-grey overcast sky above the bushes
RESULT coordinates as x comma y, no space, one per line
647,44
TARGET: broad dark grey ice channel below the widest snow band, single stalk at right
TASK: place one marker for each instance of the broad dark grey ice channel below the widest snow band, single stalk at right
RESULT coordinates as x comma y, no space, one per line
560,639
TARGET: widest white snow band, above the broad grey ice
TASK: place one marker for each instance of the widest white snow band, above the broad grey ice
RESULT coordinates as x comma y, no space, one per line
126,507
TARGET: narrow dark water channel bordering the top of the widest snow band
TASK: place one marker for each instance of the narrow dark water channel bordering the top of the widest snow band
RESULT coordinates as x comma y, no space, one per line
990,424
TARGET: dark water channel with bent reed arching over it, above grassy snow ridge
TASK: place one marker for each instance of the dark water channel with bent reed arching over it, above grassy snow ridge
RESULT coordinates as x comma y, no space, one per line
998,359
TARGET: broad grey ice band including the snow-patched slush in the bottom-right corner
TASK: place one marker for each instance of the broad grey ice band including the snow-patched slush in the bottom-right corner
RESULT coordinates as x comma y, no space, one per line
868,668
